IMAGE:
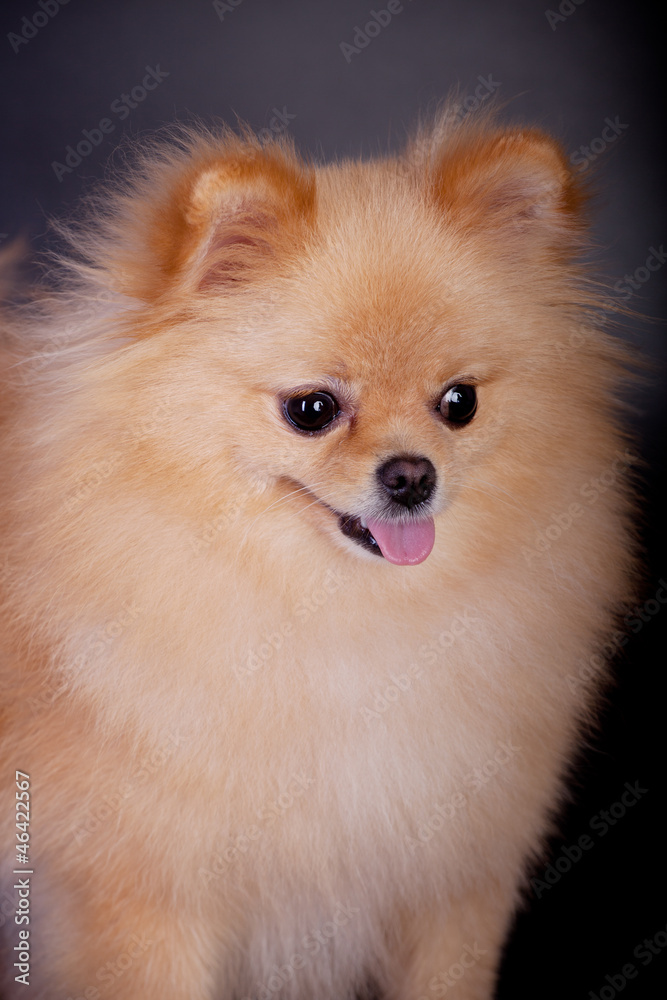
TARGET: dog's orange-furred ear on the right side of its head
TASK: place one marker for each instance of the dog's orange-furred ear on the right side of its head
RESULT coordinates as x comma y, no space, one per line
516,186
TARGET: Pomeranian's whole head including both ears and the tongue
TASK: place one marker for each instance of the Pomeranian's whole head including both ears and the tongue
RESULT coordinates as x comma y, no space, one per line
375,328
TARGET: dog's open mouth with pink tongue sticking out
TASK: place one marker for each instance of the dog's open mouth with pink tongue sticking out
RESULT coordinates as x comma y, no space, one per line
404,543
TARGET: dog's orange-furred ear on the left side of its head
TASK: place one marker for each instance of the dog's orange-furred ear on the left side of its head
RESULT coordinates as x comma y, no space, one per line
222,219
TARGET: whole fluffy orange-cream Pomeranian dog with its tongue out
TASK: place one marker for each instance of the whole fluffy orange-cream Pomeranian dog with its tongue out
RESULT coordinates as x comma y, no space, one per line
314,501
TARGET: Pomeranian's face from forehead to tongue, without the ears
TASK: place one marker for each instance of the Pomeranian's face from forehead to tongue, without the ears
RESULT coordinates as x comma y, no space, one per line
369,390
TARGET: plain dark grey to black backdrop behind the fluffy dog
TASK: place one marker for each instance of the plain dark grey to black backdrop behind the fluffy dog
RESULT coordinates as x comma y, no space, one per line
600,61
